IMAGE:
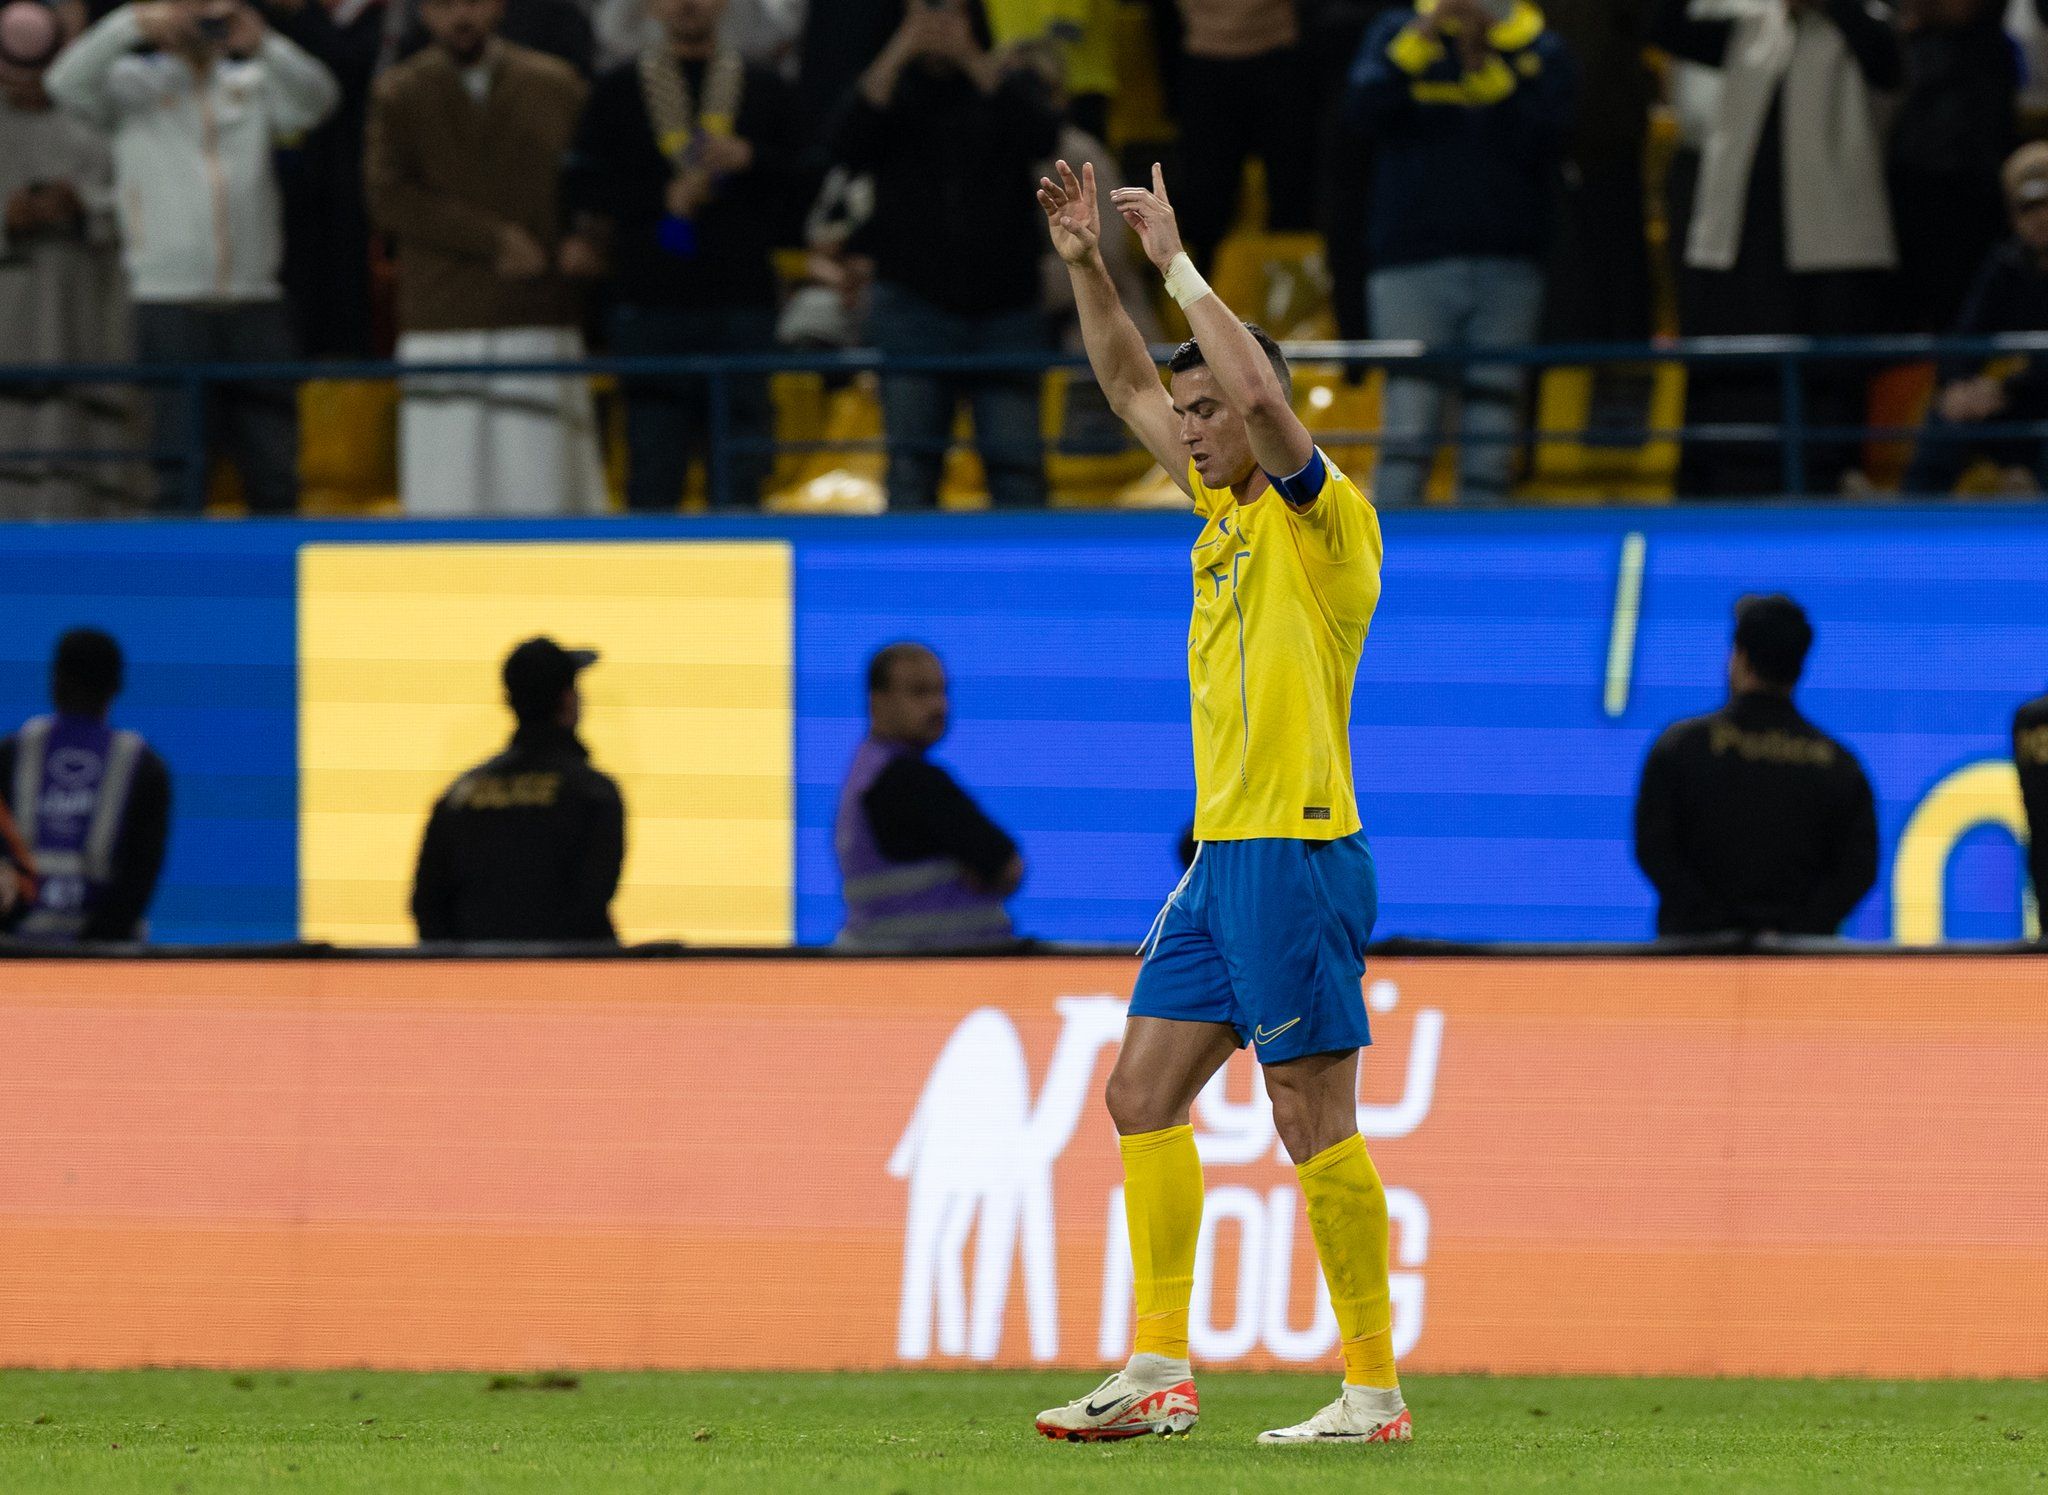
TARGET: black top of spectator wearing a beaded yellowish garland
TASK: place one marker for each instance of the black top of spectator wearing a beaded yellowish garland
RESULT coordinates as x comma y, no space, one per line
620,175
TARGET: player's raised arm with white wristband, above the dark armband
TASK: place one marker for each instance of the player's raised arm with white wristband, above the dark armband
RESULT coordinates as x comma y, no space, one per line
1244,376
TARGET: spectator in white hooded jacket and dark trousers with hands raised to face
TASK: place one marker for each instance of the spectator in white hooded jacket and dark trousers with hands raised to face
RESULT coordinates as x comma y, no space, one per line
196,97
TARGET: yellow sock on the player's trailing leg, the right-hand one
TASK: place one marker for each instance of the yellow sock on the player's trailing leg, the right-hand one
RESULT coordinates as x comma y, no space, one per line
1349,1218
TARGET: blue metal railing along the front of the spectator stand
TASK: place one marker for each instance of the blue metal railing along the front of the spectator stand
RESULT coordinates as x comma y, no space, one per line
1793,359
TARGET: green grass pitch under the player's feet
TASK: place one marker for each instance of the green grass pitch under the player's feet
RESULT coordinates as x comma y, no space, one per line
167,1433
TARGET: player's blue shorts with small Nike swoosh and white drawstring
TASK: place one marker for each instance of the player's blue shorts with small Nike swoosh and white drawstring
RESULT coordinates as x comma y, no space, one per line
1269,937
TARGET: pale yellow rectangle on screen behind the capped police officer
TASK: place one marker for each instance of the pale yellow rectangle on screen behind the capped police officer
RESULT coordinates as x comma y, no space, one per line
689,708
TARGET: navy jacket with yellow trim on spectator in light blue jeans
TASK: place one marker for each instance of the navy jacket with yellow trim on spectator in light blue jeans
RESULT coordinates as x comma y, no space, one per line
1463,165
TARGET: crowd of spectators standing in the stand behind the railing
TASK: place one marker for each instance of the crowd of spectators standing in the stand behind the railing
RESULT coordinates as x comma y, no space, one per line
482,183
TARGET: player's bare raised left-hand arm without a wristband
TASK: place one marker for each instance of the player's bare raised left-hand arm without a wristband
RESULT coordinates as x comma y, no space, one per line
1115,347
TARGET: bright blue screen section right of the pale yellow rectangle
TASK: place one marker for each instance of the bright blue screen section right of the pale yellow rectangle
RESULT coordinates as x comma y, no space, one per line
1496,787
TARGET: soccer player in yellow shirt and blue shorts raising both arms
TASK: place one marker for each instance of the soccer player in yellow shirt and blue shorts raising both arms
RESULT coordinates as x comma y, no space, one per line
1265,939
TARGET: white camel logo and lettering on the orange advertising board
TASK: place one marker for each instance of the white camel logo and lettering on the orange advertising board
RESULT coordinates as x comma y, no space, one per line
980,1162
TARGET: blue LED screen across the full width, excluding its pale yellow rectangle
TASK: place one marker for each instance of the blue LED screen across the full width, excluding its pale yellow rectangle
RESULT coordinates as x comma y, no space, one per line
1494,783
